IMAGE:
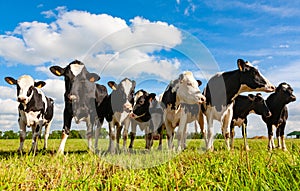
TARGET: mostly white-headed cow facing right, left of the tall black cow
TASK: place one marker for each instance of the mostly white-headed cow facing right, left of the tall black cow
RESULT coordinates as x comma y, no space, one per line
177,98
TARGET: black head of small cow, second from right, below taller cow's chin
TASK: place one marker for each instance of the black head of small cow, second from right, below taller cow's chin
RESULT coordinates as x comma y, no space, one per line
259,105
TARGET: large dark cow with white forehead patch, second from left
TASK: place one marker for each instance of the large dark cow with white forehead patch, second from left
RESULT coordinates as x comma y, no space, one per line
82,96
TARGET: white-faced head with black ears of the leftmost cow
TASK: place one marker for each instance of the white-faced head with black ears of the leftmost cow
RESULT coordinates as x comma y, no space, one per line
25,87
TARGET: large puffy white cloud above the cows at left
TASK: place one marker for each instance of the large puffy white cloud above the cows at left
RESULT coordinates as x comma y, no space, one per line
99,40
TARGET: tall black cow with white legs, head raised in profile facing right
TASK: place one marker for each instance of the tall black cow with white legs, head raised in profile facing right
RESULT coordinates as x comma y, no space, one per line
222,89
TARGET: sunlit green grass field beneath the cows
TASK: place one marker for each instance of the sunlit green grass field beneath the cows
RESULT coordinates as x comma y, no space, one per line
192,169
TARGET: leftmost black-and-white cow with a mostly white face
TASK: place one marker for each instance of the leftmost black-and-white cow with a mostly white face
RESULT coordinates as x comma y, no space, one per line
35,109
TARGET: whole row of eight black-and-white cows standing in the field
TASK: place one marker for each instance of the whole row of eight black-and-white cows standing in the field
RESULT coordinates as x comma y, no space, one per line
181,103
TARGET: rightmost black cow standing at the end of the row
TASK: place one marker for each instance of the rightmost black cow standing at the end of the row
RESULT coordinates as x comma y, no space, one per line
277,102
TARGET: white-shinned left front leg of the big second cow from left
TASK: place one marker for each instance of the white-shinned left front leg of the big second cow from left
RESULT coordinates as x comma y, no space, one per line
65,132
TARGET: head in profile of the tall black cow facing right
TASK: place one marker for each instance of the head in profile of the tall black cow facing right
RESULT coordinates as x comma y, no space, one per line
251,79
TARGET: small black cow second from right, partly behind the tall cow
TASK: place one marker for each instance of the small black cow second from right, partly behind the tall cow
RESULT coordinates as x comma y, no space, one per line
242,107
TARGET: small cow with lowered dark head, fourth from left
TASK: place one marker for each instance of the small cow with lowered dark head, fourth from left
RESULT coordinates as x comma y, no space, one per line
146,113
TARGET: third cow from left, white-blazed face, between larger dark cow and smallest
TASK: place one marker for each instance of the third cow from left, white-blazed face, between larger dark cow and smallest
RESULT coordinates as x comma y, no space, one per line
116,109
